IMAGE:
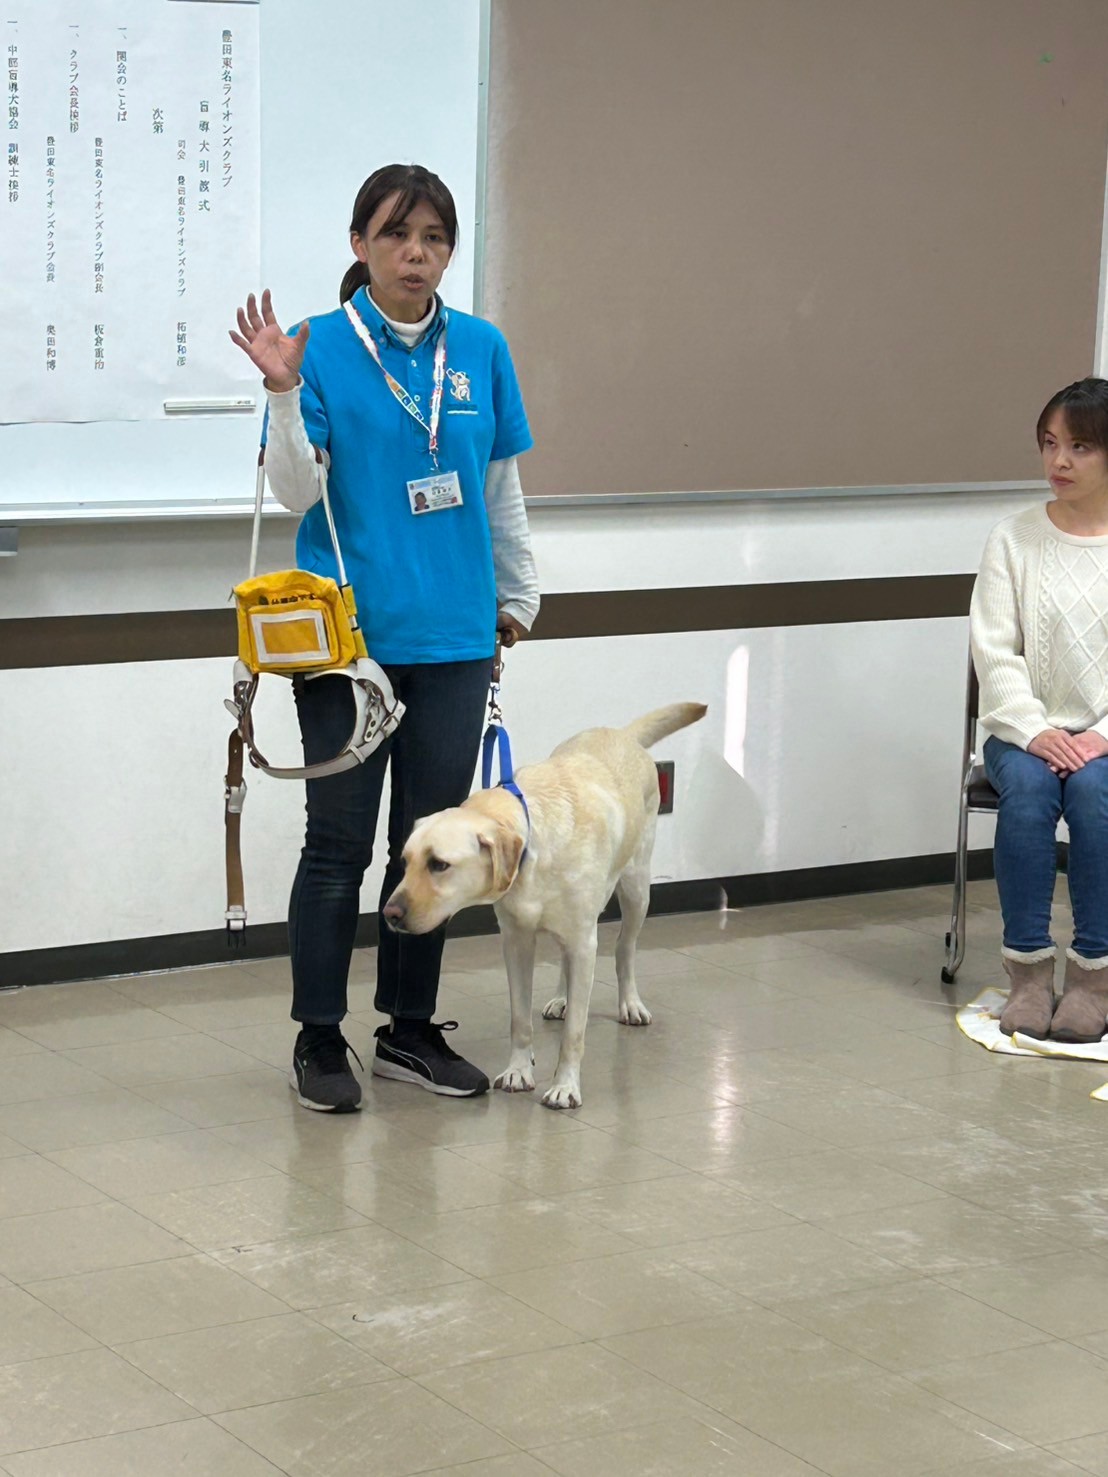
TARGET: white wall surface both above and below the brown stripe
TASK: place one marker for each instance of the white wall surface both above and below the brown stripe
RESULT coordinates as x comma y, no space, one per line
825,745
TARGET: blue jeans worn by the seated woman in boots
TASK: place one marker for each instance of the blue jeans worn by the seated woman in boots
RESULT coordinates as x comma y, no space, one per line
1025,854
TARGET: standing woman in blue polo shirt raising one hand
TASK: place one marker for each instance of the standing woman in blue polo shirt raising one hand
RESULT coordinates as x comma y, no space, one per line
419,416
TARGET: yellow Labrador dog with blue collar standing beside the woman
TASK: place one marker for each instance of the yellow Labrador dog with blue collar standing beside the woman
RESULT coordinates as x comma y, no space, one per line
550,868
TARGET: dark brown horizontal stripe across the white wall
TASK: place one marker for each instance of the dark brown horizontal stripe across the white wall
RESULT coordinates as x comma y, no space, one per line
177,636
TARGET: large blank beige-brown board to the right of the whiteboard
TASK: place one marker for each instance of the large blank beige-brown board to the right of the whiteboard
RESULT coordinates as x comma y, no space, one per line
794,243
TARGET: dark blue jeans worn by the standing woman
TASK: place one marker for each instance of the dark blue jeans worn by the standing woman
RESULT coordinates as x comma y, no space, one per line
434,755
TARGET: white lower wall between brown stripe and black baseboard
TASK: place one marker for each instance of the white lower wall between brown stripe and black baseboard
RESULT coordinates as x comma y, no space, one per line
824,745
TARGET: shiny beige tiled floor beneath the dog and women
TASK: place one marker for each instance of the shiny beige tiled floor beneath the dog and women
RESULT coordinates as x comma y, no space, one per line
801,1227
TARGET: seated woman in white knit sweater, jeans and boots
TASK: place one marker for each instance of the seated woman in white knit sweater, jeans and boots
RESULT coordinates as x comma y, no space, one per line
1039,630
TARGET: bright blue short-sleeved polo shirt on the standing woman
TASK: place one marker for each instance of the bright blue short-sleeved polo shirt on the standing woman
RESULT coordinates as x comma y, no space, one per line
425,584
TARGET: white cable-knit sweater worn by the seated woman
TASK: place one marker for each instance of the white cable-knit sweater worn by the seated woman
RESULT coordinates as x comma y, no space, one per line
1039,630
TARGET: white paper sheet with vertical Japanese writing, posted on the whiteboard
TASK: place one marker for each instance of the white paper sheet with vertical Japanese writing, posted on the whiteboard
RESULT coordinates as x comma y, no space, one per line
125,125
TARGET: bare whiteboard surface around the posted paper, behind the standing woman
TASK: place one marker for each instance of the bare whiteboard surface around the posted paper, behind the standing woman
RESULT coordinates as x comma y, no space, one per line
346,86
